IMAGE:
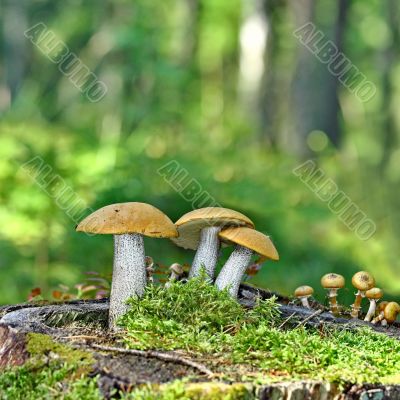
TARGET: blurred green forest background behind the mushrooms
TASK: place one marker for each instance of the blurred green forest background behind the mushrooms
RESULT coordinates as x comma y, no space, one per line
225,89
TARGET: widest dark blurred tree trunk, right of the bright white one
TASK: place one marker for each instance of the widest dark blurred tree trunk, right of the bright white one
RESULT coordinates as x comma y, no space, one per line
314,97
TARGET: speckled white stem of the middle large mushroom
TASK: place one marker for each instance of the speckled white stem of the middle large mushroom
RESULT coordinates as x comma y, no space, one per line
207,252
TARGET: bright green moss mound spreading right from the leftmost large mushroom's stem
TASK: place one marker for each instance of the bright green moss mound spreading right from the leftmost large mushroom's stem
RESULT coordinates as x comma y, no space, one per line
203,321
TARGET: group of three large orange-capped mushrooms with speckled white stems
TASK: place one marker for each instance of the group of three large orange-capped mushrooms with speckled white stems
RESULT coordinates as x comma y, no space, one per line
204,230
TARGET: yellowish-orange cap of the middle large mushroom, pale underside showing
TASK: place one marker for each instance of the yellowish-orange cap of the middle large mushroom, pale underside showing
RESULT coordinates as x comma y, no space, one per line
190,224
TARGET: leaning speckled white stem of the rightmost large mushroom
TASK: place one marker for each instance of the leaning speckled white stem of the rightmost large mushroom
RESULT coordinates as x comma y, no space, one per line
234,269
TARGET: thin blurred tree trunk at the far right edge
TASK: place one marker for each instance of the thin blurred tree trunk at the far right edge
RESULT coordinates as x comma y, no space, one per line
390,58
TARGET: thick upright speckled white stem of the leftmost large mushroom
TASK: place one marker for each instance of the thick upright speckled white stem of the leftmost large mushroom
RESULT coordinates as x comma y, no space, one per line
129,274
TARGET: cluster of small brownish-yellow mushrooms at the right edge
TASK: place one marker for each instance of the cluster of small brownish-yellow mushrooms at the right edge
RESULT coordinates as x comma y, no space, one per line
386,312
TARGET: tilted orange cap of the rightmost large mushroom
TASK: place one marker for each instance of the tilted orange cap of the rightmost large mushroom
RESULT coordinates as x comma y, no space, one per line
251,239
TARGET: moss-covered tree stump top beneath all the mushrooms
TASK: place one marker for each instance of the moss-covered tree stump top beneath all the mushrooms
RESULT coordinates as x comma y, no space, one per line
275,349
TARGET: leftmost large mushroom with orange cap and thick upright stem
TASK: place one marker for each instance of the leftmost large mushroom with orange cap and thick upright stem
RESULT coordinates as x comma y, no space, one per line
128,222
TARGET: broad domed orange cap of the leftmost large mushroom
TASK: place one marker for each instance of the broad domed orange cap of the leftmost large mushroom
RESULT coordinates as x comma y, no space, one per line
131,217
